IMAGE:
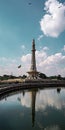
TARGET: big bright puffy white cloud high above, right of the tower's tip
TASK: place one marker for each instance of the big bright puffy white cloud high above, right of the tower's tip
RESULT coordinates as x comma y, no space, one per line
53,22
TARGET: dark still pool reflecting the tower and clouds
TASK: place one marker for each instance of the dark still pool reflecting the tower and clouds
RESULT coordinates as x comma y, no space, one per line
39,109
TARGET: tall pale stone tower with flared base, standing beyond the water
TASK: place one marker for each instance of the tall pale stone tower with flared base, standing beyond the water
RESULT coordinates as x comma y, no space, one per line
33,74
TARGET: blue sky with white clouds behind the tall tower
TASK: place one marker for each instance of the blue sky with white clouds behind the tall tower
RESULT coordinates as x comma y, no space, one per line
20,22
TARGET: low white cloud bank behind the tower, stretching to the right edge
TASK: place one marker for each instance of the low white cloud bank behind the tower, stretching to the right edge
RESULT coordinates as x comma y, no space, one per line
50,65
